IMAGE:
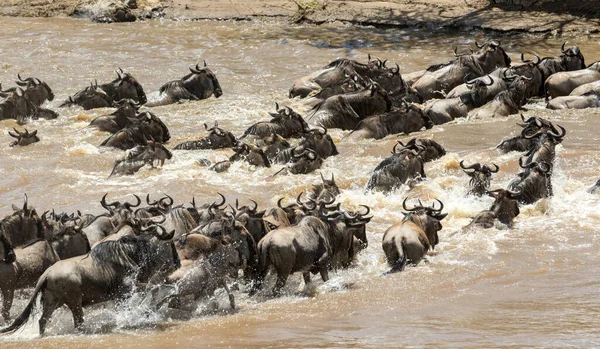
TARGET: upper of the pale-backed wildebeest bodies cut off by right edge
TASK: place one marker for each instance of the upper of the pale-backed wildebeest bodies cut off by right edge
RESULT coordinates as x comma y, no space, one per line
563,83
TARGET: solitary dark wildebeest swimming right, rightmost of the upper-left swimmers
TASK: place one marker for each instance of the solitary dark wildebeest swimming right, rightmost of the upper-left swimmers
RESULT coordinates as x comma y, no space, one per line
201,83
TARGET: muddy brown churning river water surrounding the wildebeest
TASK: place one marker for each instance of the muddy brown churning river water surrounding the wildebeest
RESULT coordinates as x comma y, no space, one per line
535,284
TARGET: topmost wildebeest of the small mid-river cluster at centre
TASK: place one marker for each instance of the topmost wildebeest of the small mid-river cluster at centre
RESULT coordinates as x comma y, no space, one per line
285,122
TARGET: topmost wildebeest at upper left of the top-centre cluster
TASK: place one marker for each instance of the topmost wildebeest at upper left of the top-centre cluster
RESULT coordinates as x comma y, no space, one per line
334,74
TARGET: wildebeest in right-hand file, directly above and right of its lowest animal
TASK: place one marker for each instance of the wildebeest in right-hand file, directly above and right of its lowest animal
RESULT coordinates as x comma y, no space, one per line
533,183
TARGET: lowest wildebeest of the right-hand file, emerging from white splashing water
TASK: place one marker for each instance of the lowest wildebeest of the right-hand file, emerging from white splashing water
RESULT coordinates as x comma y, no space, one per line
504,209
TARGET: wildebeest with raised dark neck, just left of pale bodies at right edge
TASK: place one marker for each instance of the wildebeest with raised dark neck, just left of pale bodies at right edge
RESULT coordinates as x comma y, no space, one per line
506,102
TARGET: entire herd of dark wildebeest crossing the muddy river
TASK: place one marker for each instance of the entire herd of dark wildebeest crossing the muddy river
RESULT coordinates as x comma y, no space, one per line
78,259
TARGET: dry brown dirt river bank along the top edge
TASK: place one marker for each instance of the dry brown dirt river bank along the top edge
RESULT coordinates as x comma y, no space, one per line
541,16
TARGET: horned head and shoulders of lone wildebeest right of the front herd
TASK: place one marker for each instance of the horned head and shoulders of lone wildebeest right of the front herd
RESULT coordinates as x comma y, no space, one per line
428,218
